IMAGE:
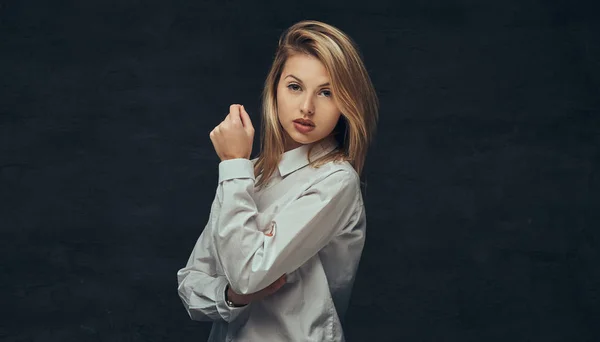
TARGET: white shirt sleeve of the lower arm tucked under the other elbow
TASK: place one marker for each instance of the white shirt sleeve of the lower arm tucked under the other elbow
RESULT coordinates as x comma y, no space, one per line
201,287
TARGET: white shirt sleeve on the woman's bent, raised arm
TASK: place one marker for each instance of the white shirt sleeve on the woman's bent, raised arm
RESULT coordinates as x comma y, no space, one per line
254,253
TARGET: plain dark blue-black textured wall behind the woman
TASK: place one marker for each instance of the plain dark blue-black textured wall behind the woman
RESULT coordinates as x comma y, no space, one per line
482,184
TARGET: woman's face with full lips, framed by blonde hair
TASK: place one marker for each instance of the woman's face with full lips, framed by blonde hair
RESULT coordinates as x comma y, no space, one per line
305,106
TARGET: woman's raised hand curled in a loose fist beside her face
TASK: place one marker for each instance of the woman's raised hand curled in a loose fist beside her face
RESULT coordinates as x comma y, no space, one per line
233,137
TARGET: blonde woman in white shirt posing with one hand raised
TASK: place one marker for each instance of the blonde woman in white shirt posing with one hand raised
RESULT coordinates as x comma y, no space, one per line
278,256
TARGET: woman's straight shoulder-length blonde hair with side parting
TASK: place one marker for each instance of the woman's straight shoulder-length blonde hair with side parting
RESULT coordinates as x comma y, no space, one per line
351,87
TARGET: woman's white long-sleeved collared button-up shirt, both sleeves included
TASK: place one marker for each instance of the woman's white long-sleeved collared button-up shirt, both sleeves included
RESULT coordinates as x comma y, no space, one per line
307,222
